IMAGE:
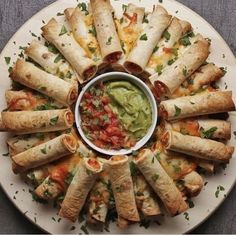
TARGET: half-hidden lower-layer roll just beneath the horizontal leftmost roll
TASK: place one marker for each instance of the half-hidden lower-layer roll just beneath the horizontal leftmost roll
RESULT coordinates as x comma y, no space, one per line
22,143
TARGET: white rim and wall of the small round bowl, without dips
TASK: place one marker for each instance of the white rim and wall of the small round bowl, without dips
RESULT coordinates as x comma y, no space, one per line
112,76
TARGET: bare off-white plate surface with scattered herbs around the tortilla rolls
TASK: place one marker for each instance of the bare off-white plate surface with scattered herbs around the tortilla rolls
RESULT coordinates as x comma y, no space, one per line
46,217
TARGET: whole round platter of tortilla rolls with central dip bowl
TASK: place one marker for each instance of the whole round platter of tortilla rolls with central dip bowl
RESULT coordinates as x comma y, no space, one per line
118,117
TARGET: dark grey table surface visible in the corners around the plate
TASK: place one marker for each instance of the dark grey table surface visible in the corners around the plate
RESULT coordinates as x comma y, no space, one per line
219,13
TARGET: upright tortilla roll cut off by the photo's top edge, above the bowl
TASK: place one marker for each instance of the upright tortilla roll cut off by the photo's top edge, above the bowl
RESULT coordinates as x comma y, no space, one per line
106,31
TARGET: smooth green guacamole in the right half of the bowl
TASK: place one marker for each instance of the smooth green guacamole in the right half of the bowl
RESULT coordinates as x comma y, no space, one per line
132,107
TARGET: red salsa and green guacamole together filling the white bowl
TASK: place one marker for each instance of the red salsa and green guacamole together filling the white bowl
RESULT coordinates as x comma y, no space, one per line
115,114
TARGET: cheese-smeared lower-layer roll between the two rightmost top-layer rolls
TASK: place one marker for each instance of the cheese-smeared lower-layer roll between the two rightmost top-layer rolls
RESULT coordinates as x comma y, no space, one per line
205,128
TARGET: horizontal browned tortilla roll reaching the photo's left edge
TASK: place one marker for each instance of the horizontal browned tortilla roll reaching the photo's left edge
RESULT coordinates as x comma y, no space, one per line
26,122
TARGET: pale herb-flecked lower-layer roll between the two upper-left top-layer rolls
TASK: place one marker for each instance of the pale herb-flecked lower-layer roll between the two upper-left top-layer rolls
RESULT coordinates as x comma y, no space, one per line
50,62
